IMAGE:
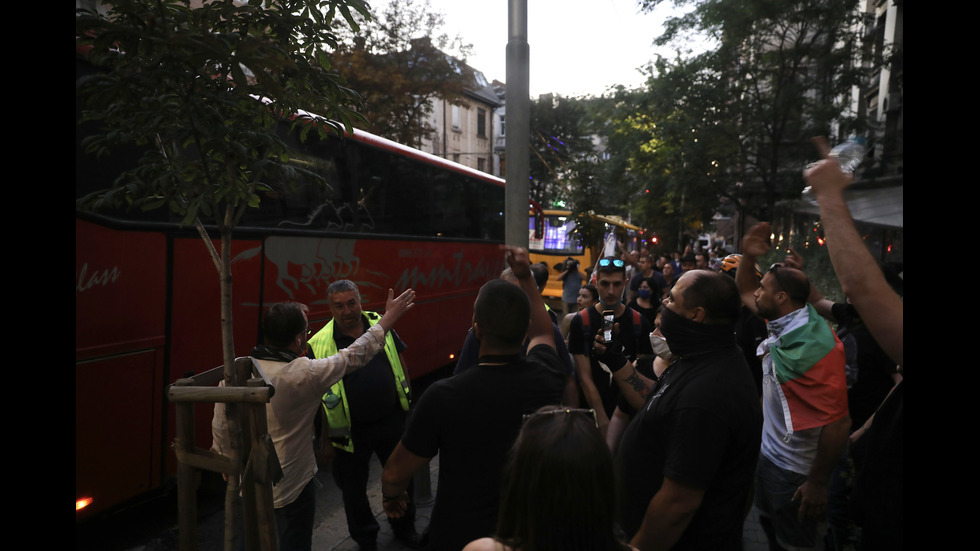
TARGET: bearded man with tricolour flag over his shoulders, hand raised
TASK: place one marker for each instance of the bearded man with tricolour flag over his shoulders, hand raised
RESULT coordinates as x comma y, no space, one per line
804,391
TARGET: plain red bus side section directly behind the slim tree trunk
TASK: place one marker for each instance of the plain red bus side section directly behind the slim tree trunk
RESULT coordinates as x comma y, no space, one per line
196,321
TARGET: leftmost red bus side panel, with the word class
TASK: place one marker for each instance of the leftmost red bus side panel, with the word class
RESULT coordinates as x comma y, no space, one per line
120,302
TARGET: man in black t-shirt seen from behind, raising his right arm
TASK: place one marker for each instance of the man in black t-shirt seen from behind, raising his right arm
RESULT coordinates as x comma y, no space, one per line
472,419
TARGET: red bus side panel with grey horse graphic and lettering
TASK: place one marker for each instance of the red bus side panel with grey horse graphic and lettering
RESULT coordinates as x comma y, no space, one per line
446,277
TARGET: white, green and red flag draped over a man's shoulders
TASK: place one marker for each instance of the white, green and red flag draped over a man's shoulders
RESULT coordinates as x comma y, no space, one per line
809,364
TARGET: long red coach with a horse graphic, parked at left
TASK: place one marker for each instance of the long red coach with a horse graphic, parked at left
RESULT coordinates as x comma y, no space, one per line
147,302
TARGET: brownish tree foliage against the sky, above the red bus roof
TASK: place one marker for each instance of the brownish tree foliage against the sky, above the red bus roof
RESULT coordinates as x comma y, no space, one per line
400,61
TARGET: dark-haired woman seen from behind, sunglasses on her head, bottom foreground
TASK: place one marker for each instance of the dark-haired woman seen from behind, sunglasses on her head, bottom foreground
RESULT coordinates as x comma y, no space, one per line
559,491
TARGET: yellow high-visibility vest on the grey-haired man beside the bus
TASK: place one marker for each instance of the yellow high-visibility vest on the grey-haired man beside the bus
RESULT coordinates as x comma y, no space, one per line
324,345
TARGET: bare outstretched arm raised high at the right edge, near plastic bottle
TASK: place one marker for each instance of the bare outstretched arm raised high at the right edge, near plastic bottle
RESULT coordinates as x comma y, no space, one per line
880,307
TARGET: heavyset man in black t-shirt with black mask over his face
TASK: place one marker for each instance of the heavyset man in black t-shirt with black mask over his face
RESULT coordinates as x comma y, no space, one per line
689,456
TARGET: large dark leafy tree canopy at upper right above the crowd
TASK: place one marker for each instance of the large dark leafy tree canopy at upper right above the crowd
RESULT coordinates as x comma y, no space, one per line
734,122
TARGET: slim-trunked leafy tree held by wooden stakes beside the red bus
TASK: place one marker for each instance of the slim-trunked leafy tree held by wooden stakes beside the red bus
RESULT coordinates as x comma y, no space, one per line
203,92
